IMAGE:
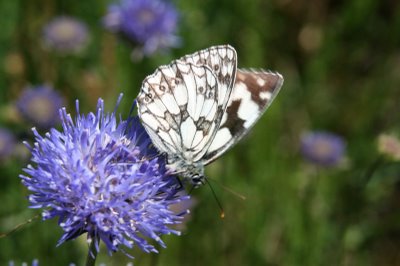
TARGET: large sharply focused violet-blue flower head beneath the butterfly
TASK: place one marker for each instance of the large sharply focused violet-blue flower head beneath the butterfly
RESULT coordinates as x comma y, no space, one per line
102,177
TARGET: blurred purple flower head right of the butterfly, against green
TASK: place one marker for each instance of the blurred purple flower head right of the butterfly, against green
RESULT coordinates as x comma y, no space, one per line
322,148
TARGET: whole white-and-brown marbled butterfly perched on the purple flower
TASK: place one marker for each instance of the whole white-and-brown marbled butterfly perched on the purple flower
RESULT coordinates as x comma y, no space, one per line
200,105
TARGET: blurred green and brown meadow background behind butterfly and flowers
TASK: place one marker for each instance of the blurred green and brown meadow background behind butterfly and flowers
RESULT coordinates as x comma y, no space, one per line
341,64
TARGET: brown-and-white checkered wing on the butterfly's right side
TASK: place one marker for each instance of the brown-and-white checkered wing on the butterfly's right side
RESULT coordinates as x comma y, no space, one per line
252,94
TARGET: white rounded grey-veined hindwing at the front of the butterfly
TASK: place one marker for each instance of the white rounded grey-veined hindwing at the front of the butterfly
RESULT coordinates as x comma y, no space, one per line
178,106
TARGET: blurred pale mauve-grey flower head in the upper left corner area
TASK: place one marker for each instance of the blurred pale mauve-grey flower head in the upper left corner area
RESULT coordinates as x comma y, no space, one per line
65,35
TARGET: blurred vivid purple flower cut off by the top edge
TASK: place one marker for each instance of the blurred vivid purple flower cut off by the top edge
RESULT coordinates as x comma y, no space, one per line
151,24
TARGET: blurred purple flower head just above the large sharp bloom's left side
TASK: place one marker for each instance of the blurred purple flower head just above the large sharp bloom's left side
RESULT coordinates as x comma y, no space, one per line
39,105
